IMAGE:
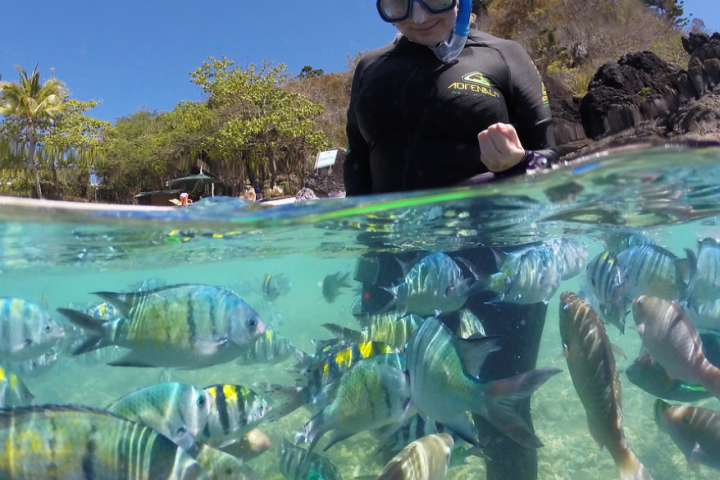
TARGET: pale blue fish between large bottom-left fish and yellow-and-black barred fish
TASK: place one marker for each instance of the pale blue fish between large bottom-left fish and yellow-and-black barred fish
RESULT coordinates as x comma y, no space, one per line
175,410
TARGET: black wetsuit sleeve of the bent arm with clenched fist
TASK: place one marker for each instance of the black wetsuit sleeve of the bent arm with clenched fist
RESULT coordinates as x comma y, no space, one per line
529,108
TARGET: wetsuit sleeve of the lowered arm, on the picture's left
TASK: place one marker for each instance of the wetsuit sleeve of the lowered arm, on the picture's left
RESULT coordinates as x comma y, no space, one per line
356,169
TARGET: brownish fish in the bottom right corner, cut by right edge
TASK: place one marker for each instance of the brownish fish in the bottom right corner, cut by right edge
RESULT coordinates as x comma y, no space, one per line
695,431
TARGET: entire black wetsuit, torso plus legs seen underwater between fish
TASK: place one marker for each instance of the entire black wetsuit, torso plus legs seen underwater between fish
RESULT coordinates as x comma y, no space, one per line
412,124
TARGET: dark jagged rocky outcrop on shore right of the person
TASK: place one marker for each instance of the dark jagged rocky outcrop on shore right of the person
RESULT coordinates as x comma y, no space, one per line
643,98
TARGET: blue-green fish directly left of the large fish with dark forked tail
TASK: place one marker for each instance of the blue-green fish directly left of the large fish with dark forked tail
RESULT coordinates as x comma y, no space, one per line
351,405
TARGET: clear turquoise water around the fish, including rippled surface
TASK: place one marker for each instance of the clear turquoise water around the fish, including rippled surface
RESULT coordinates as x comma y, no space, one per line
57,254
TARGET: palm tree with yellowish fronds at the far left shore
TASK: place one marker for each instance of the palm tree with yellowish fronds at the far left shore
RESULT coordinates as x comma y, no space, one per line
34,105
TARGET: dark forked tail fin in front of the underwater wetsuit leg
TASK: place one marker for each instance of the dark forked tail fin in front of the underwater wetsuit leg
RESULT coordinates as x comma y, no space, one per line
501,404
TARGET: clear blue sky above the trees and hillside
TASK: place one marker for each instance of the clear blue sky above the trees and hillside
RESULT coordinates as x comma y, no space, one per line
137,53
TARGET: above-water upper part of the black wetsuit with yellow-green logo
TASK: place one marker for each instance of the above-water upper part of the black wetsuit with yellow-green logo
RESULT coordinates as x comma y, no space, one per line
413,120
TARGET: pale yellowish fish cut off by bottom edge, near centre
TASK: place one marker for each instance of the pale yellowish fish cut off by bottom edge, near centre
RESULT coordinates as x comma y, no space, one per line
427,458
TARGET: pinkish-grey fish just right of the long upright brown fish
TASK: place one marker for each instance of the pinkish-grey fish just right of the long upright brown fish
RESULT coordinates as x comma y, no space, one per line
673,341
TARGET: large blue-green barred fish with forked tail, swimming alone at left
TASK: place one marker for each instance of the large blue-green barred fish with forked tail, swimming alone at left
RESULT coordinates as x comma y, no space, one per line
189,326
